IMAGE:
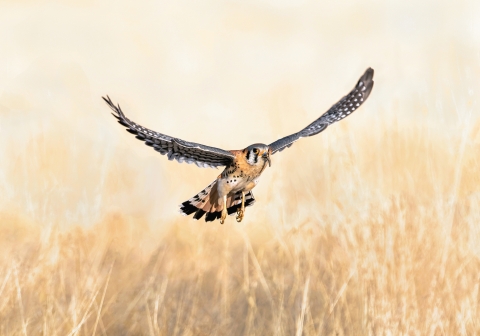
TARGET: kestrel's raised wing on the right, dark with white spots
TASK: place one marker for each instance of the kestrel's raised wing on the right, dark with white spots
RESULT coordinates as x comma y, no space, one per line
337,112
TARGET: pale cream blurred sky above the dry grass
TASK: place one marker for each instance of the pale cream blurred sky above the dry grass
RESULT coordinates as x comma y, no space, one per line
222,73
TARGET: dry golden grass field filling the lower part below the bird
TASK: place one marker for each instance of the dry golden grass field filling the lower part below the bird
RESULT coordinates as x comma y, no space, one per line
388,251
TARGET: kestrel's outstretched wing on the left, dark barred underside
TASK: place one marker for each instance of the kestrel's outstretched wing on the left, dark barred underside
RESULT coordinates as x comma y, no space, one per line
174,148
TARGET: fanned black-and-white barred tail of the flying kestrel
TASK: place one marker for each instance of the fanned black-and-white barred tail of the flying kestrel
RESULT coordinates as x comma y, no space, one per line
207,202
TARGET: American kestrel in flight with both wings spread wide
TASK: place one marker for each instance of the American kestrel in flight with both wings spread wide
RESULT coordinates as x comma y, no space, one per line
231,191
